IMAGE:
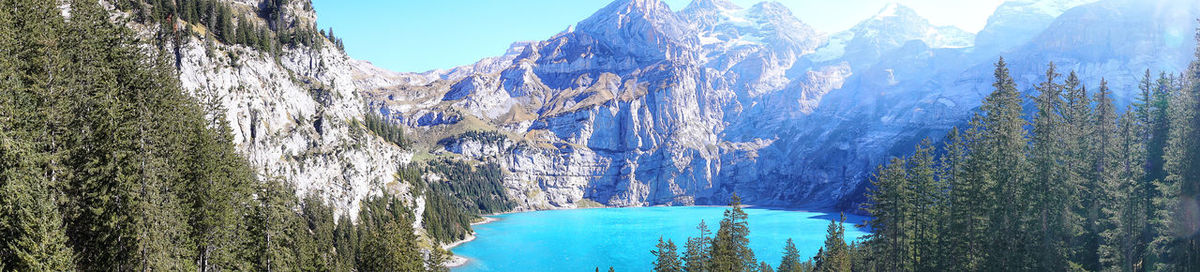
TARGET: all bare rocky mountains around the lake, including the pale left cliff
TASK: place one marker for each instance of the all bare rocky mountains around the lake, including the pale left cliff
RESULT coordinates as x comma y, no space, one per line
639,105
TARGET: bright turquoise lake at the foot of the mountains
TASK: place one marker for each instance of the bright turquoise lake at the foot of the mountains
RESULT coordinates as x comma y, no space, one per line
581,240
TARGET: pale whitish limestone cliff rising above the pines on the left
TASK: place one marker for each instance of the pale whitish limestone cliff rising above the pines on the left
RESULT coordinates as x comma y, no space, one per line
297,116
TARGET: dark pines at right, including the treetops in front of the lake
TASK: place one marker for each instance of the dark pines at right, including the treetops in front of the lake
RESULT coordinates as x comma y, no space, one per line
1072,184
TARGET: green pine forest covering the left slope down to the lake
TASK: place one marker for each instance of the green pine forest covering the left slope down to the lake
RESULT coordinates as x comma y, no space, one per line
106,165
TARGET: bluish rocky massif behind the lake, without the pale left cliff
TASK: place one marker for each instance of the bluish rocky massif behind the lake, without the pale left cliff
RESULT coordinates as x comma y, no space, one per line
643,106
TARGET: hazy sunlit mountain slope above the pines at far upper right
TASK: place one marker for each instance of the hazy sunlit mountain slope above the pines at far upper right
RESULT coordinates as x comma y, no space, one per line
1132,38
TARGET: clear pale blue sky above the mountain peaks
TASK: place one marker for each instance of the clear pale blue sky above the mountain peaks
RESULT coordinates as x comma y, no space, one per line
422,35
